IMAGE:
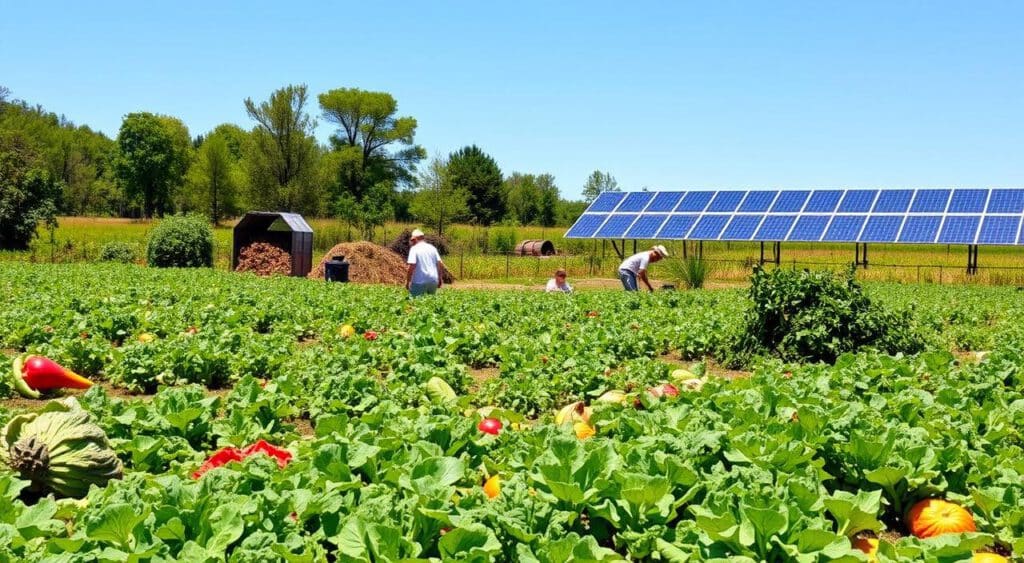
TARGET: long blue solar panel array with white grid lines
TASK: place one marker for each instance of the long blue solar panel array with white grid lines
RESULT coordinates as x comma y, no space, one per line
910,216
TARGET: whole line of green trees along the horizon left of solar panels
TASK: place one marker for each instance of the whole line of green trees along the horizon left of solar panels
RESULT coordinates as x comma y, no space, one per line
370,171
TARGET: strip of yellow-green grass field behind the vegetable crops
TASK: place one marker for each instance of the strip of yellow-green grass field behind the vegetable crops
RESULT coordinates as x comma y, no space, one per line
476,253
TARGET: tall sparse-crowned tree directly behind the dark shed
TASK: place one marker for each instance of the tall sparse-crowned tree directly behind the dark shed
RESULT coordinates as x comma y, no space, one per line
282,160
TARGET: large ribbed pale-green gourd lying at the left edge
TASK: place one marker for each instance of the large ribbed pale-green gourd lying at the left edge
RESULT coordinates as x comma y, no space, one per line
60,450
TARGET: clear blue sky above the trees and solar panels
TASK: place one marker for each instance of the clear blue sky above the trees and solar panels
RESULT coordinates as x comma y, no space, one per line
661,95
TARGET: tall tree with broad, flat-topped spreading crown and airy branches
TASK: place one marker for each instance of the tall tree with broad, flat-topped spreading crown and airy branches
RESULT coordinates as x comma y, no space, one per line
372,146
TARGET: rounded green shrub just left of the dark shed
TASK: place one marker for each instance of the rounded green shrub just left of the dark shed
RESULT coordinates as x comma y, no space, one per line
182,241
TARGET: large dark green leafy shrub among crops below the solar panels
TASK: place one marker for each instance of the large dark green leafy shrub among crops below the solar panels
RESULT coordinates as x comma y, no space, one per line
817,317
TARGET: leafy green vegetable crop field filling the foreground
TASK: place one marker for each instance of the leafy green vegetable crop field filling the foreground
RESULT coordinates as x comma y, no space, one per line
485,426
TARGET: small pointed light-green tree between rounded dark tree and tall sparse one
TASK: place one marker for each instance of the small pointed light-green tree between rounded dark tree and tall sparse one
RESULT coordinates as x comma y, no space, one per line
215,179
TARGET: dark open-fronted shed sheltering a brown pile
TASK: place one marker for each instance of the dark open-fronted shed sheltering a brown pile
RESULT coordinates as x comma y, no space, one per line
288,232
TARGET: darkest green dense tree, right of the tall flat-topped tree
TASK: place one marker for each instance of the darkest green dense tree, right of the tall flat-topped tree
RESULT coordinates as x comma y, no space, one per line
474,171
